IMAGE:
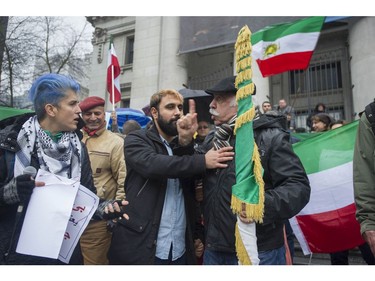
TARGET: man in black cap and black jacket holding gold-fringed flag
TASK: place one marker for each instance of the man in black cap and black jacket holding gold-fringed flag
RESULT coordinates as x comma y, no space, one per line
287,188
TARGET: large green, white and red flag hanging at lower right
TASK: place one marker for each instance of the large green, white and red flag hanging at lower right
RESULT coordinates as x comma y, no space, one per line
327,223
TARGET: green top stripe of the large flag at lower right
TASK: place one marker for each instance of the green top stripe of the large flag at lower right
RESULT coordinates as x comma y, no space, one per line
327,150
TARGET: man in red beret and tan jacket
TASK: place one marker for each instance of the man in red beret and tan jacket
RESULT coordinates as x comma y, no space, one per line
106,151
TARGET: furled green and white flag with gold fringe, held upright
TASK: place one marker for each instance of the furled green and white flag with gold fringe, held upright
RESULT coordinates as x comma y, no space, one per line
248,192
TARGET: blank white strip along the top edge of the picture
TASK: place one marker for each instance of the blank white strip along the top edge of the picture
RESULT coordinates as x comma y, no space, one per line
189,8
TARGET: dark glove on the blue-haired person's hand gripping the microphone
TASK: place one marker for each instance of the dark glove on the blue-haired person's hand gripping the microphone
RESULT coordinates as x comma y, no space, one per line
18,190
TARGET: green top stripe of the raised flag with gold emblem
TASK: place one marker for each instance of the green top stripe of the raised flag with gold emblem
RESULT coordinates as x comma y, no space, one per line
273,32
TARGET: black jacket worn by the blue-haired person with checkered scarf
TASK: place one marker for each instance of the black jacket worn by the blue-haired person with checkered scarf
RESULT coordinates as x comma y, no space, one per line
9,129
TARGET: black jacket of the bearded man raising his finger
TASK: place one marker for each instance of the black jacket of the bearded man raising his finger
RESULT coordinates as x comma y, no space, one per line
148,168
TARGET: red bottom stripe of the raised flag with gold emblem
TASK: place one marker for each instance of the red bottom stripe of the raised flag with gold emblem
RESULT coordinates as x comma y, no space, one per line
284,62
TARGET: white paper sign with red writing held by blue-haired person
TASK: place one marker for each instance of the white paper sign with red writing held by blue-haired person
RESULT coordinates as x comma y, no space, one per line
51,215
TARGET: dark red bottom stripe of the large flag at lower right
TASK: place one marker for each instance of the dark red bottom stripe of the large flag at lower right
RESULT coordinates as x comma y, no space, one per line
331,231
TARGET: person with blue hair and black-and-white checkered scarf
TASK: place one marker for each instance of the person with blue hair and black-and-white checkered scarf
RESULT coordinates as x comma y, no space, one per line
47,140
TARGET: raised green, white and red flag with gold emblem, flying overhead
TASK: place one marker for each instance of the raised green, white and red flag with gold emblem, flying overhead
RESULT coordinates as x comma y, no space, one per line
285,47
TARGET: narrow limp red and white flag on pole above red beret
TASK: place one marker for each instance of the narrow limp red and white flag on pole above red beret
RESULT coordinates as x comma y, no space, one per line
113,75
